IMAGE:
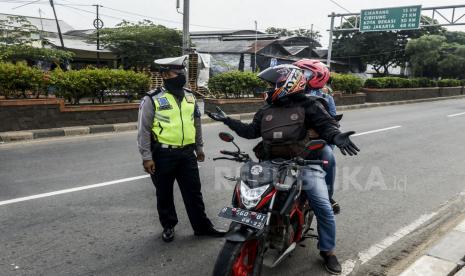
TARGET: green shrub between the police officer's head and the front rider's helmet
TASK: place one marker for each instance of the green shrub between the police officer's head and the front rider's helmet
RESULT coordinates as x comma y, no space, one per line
236,84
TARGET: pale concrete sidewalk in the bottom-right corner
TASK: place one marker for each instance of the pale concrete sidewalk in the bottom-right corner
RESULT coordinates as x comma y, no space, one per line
445,258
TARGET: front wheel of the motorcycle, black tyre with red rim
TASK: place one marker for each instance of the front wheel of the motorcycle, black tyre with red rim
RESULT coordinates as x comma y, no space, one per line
238,259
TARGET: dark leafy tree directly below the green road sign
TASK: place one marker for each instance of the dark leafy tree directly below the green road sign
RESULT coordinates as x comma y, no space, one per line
380,49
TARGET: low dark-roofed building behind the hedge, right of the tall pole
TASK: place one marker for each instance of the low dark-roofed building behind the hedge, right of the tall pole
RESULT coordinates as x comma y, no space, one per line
238,50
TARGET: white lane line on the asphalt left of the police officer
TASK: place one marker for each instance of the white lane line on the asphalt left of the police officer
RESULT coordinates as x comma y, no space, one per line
66,191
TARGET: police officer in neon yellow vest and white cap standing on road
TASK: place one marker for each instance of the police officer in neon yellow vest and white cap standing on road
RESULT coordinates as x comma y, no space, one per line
170,143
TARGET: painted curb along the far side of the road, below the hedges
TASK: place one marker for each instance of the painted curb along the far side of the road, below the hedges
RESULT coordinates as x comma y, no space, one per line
15,136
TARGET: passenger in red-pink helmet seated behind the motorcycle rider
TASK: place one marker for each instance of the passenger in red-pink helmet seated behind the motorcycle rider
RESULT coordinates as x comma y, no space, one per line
318,75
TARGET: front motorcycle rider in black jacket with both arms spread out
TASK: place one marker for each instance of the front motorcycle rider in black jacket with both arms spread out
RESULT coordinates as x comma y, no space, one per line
283,125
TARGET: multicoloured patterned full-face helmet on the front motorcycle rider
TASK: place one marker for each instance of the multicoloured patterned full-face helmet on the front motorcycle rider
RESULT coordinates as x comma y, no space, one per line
287,80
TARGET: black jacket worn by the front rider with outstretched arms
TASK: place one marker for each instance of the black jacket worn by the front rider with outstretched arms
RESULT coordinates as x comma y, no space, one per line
316,117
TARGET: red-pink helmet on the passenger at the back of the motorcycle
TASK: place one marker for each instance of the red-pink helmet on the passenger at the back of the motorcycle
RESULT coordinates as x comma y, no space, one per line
317,73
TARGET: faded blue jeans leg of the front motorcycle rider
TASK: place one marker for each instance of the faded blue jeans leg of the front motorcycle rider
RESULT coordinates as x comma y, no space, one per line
313,184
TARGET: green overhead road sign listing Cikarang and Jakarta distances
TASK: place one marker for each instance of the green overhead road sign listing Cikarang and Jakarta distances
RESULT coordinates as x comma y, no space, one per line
399,18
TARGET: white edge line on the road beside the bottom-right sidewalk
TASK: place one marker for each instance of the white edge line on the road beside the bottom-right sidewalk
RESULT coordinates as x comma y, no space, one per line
368,254
